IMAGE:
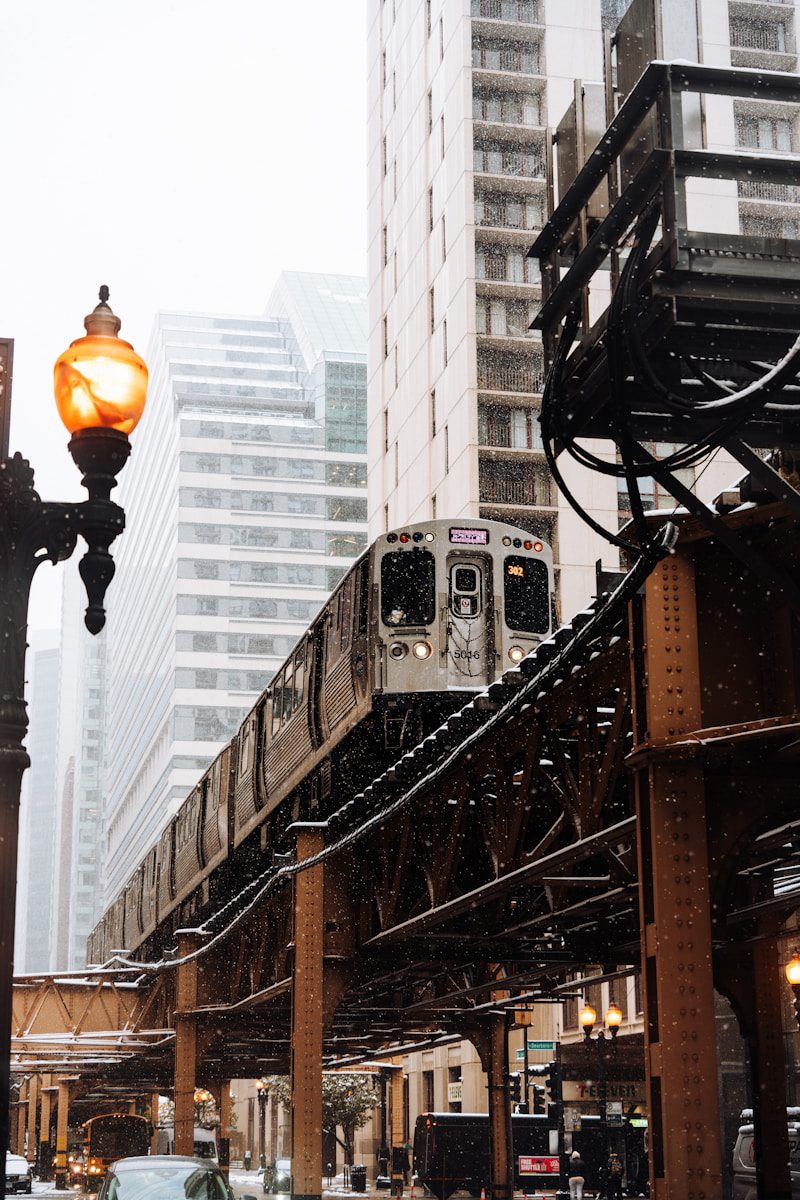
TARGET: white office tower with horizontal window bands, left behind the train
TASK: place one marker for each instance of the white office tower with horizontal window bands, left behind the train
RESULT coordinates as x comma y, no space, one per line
245,505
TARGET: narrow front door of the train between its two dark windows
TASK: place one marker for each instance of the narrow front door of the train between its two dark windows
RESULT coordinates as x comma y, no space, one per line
471,622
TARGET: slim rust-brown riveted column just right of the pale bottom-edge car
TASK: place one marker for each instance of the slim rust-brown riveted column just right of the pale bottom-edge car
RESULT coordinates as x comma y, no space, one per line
308,1017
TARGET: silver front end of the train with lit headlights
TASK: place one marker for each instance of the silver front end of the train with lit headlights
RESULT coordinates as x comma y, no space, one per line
459,603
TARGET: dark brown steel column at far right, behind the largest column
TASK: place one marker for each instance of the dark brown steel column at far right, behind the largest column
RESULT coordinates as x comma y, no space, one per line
768,1073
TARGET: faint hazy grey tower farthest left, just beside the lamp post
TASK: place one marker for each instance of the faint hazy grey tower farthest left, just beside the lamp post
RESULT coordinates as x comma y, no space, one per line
38,813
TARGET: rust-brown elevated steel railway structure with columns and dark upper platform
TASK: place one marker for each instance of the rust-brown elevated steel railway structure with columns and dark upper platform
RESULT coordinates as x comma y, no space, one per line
625,799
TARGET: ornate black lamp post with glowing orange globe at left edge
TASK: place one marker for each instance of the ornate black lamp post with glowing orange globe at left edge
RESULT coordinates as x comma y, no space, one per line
100,392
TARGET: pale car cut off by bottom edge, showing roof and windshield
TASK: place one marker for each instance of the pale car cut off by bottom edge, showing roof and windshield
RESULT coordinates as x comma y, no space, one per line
166,1178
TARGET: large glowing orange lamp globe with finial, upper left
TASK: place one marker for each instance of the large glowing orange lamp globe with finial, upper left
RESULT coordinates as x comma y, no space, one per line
100,381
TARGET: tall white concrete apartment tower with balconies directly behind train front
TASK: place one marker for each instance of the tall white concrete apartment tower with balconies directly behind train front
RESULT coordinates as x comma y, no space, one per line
461,94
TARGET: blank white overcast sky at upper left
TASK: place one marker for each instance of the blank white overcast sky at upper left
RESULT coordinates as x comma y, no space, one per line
183,152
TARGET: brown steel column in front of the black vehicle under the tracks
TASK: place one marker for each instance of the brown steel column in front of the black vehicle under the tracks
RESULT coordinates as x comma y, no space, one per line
490,1036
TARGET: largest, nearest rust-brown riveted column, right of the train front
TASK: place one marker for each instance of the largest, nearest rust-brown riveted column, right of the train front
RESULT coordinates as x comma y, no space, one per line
679,1031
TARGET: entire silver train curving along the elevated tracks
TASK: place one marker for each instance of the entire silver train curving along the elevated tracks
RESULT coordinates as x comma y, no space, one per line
429,615
